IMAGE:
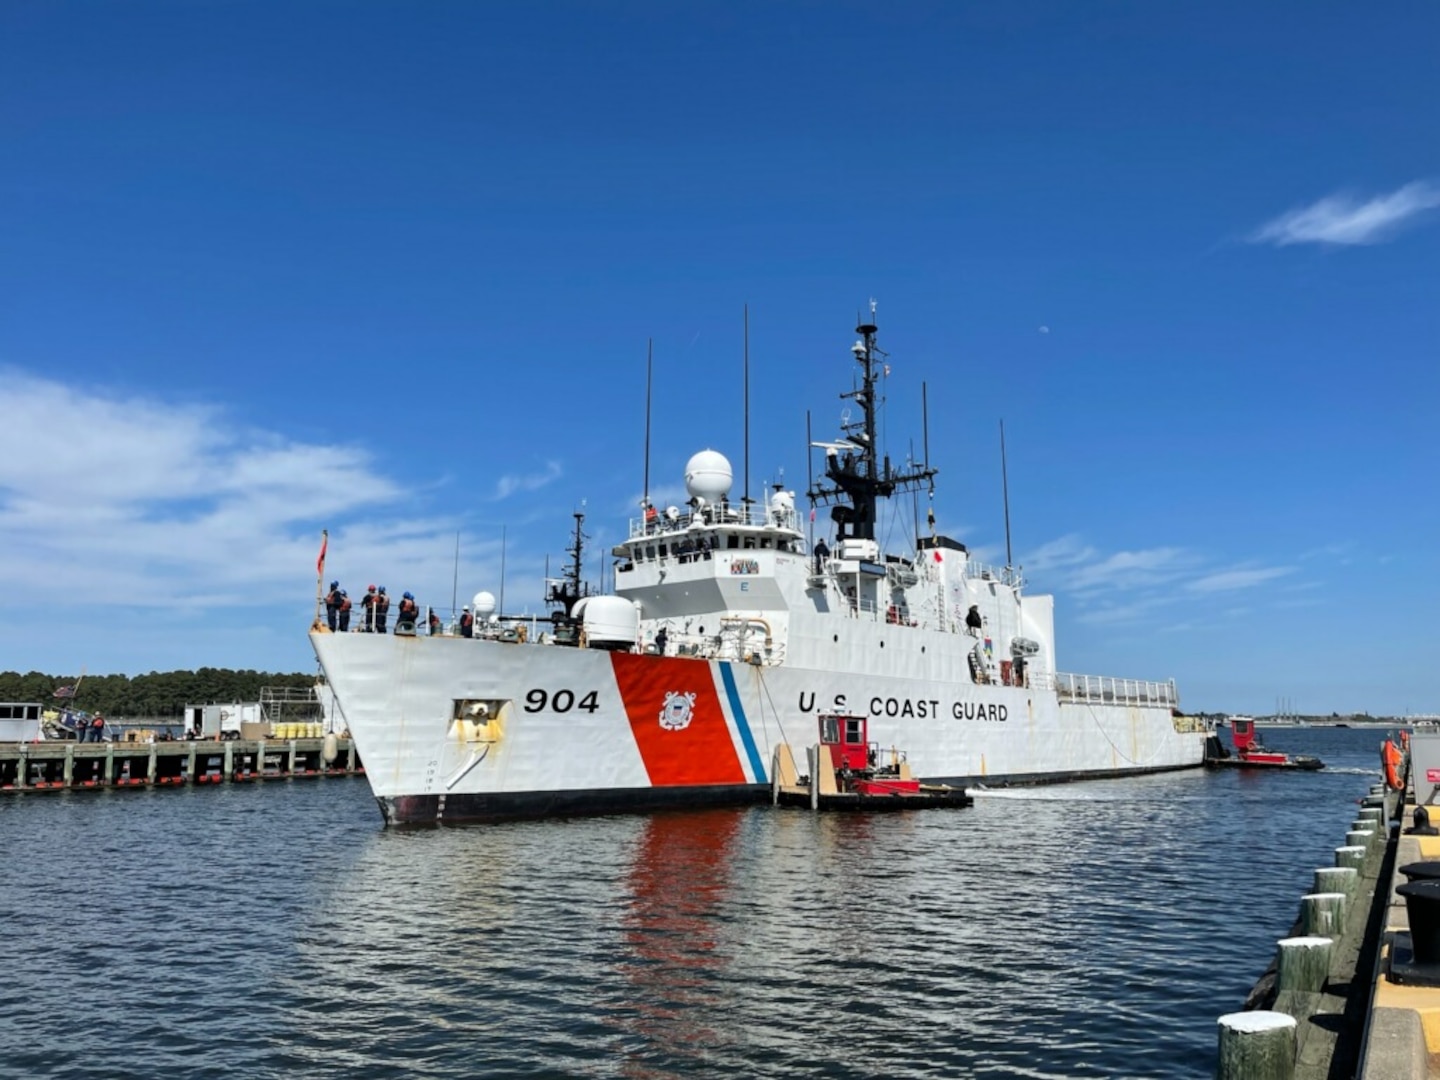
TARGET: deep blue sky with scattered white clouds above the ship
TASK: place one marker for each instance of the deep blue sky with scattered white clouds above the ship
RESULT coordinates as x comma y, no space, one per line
391,270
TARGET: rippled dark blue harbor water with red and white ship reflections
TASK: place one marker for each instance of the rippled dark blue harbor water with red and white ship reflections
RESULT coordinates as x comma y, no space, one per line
1079,931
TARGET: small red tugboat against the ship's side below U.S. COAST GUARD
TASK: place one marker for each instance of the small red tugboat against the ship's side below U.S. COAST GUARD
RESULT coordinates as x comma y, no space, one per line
850,773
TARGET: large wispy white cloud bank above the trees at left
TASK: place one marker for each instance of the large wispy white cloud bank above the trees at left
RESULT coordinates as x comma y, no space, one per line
130,500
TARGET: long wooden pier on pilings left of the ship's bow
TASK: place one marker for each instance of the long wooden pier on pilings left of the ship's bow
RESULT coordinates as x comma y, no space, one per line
83,767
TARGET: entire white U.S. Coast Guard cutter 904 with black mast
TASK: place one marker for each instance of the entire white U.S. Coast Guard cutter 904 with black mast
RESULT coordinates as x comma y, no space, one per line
726,636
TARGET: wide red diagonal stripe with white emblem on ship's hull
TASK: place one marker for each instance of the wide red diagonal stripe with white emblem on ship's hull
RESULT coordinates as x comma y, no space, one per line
699,752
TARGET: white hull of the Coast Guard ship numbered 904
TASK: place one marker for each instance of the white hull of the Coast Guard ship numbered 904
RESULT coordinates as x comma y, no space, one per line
454,729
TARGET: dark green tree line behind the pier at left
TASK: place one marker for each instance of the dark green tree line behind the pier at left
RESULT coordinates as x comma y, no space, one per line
158,695
